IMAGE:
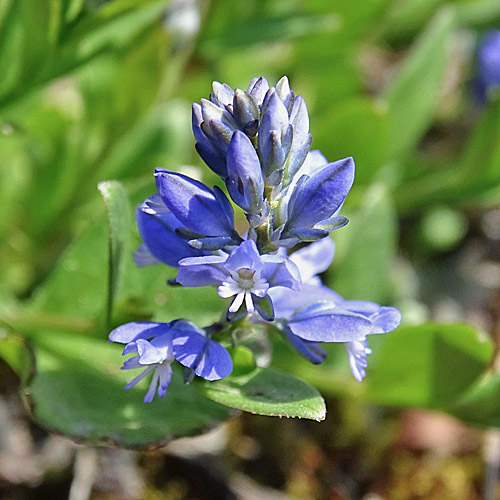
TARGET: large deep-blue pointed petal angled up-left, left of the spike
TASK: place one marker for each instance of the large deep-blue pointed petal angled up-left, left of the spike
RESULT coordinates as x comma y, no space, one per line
194,204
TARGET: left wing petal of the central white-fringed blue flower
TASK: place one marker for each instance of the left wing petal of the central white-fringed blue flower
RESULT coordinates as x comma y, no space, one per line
202,271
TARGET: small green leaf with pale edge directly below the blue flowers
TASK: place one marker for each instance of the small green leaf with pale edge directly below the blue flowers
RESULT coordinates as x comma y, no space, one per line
268,392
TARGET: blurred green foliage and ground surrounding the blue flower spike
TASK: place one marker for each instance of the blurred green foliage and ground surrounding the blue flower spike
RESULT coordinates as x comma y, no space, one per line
92,91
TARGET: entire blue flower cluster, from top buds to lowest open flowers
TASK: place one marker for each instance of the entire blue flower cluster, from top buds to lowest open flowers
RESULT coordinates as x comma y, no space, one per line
258,142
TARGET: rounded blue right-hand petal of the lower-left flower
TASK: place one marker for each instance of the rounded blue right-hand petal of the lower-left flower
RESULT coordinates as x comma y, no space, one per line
207,358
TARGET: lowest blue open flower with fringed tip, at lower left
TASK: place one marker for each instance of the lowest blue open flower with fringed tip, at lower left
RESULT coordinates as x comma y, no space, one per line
157,345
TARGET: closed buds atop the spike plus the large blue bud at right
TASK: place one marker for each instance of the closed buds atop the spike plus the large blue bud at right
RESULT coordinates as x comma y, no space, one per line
258,141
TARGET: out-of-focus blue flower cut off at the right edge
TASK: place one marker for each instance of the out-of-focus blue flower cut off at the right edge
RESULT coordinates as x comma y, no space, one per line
488,61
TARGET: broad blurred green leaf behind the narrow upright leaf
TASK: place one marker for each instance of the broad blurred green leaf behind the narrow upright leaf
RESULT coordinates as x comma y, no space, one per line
75,293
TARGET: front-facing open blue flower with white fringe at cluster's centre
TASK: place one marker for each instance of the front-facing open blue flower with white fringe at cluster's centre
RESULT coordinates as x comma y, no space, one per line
243,274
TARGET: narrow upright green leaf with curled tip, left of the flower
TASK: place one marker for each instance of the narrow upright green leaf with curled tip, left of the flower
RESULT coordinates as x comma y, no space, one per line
120,224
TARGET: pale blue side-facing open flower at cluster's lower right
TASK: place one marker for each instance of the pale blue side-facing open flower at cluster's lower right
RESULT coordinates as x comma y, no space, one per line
316,314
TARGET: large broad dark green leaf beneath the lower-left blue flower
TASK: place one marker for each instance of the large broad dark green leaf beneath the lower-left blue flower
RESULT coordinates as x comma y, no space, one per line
77,390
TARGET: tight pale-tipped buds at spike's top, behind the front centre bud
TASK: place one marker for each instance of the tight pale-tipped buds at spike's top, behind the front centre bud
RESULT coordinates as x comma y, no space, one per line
271,119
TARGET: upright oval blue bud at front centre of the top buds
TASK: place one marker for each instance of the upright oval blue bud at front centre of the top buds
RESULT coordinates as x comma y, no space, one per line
245,181
